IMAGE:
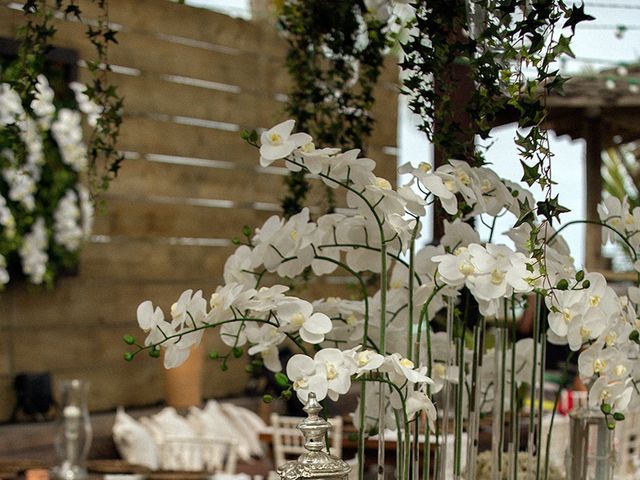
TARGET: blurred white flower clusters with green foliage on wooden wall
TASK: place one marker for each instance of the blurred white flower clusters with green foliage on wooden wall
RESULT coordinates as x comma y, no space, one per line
46,212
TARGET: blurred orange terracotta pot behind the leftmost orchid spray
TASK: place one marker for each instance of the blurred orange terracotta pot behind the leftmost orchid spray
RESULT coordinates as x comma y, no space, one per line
183,385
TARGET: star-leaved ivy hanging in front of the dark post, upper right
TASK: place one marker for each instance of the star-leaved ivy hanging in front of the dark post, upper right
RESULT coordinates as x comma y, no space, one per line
498,41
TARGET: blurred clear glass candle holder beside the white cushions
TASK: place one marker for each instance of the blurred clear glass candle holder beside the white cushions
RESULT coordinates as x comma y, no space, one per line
73,431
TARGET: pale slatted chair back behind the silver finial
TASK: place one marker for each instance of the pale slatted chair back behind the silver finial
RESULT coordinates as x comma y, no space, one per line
288,442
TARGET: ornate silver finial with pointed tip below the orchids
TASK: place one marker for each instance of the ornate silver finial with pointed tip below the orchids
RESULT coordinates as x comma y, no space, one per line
315,462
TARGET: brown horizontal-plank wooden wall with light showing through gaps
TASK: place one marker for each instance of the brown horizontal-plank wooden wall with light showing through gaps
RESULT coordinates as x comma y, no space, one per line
192,80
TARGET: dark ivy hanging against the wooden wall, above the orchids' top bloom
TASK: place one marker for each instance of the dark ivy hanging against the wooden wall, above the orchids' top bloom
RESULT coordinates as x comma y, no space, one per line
334,60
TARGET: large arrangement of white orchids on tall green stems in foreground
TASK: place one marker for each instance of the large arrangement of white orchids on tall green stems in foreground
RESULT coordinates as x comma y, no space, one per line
391,337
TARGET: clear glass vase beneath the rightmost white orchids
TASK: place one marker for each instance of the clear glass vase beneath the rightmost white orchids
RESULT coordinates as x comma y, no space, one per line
591,454
